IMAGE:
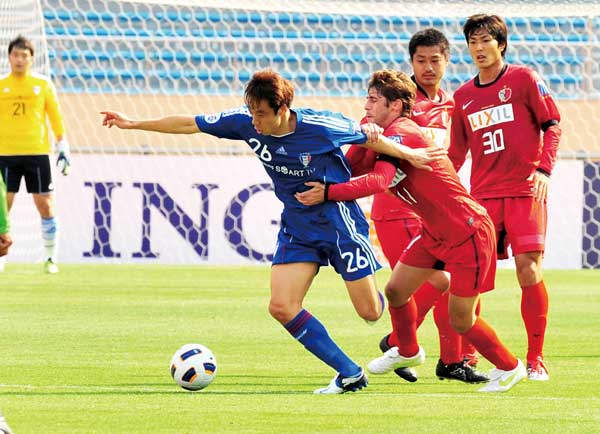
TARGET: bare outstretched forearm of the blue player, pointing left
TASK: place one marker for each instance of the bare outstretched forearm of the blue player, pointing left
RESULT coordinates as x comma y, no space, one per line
175,124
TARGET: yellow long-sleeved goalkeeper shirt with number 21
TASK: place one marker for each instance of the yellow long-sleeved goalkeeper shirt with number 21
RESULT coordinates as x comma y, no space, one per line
24,104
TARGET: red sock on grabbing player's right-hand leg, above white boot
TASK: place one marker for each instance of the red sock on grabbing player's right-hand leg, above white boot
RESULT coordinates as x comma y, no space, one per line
487,343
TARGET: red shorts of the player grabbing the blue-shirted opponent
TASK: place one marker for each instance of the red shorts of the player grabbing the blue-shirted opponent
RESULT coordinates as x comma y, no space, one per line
471,264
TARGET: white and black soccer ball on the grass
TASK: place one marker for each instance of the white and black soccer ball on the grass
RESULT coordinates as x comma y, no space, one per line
193,367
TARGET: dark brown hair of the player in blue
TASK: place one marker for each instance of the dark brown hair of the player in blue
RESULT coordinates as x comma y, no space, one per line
271,87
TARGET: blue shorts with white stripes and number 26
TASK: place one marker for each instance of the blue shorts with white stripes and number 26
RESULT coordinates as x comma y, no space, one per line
336,234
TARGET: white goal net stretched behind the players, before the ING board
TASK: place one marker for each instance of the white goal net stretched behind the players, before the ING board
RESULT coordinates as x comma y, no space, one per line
136,196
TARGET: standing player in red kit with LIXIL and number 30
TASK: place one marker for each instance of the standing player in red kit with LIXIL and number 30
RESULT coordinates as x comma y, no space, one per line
500,117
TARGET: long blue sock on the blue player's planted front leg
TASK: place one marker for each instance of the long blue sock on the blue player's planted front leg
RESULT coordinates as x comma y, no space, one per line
309,331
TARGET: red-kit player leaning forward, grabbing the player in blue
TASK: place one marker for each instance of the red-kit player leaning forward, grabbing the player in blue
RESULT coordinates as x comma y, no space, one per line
457,235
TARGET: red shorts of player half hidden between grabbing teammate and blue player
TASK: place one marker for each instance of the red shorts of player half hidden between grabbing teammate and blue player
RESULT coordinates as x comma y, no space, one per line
395,235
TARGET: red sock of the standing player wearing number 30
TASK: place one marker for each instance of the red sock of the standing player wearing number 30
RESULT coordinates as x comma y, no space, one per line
534,310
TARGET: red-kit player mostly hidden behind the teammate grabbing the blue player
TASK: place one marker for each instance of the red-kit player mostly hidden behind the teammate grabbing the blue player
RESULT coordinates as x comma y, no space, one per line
396,224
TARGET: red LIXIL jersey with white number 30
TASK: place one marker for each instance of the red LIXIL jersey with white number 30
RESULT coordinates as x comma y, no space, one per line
501,124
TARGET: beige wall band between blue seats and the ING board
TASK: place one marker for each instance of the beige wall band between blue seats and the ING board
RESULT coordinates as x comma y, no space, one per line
579,121
